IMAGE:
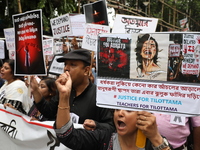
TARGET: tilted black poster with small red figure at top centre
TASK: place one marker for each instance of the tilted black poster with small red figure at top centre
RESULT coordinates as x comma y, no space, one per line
96,12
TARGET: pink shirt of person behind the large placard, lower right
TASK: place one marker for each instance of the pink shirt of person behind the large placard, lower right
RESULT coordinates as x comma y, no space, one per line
175,134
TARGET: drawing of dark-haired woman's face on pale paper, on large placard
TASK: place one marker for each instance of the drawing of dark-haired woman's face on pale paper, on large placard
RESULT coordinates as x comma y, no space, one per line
148,56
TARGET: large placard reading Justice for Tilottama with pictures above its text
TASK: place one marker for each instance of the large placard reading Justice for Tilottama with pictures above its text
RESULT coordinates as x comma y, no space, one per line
156,72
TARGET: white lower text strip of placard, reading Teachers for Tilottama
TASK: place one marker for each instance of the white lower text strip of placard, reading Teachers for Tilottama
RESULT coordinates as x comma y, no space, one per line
155,97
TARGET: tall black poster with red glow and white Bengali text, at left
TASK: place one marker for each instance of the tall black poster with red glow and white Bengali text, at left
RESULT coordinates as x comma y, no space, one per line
29,56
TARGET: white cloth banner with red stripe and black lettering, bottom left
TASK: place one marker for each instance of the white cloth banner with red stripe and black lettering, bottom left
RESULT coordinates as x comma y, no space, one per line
19,133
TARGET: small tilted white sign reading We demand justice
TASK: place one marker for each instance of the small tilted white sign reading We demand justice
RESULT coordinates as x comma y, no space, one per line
61,26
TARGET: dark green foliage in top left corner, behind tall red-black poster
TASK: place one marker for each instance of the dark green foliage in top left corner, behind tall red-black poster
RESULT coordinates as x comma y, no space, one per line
49,7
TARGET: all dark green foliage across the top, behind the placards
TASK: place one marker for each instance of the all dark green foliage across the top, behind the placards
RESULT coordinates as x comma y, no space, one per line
52,7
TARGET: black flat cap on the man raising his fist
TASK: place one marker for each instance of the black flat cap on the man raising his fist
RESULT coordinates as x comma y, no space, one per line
78,54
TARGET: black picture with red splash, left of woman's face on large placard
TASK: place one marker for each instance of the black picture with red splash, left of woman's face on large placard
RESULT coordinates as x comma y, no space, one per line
114,56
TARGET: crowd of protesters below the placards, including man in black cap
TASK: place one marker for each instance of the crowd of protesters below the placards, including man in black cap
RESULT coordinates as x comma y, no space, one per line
71,98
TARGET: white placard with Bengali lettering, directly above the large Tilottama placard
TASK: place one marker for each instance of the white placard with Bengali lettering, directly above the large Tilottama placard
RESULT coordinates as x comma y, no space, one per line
133,24
